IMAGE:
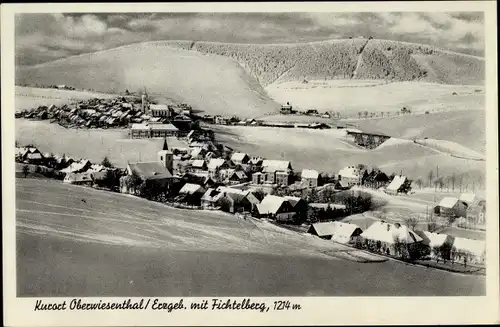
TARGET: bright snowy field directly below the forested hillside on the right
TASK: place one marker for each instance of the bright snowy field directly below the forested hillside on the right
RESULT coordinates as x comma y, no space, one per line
351,97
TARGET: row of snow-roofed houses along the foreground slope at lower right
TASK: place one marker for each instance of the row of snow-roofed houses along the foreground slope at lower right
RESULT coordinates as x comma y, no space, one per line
397,240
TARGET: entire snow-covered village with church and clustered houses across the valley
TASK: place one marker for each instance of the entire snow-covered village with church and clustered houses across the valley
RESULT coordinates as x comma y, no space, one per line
208,175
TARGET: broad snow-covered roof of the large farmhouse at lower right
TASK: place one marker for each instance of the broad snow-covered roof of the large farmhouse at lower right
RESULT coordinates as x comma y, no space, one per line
389,233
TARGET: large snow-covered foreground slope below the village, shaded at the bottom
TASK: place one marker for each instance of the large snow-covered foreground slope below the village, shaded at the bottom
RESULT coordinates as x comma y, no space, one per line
141,248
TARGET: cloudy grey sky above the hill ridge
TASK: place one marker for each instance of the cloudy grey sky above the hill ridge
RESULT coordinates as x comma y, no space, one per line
46,37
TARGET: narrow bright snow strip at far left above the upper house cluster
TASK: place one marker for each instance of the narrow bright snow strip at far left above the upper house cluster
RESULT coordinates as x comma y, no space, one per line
31,97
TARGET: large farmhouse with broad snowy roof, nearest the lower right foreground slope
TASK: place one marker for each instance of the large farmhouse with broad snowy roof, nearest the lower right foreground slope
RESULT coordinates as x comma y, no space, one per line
391,239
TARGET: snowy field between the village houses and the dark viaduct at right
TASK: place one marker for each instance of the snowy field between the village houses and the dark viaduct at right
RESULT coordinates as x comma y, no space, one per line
324,150
